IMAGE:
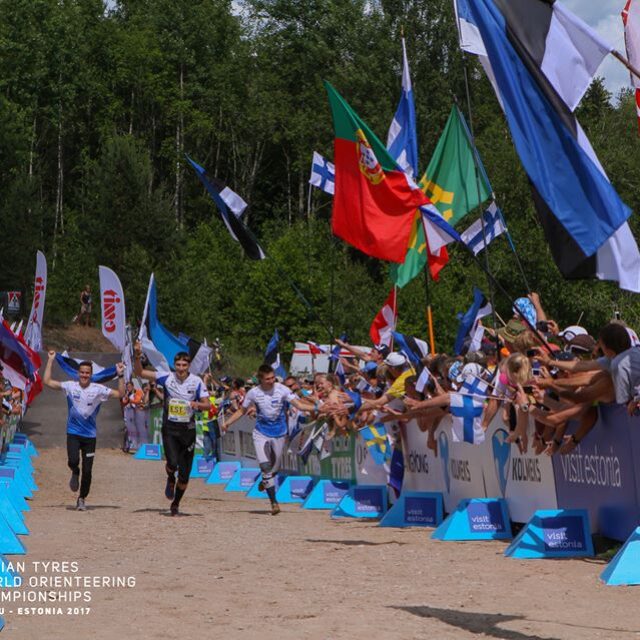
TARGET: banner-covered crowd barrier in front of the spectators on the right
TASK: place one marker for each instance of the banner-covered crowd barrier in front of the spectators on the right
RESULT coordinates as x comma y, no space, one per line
599,475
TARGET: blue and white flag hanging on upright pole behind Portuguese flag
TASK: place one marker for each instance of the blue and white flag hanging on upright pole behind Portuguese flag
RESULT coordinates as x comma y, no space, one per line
402,139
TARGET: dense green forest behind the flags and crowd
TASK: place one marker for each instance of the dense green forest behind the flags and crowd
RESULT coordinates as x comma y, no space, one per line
100,103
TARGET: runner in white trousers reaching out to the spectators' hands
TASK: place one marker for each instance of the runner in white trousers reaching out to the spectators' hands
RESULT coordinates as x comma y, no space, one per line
271,400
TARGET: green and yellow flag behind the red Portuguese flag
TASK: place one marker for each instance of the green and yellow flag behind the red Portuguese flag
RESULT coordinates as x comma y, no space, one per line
451,184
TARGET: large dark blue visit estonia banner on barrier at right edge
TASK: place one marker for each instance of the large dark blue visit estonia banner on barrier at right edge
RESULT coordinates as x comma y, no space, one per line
599,476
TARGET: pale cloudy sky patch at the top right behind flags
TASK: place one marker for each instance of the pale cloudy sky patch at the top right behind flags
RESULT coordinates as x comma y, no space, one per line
604,17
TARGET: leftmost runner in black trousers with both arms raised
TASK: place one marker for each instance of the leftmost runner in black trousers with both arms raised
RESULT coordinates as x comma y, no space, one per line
84,399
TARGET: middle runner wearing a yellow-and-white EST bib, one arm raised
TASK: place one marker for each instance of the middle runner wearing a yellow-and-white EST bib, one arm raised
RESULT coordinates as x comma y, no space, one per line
184,394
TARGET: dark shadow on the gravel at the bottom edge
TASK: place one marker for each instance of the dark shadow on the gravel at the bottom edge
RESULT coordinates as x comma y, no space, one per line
484,624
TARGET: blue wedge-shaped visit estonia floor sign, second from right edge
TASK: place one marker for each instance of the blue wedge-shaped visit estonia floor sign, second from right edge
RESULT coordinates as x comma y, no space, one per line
553,533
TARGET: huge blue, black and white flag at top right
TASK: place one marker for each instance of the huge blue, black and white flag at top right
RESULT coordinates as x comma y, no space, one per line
541,59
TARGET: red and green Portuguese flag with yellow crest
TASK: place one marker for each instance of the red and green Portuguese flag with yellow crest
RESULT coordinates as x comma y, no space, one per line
374,203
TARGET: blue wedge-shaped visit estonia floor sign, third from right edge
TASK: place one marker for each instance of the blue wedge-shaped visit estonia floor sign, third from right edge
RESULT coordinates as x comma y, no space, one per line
476,519
